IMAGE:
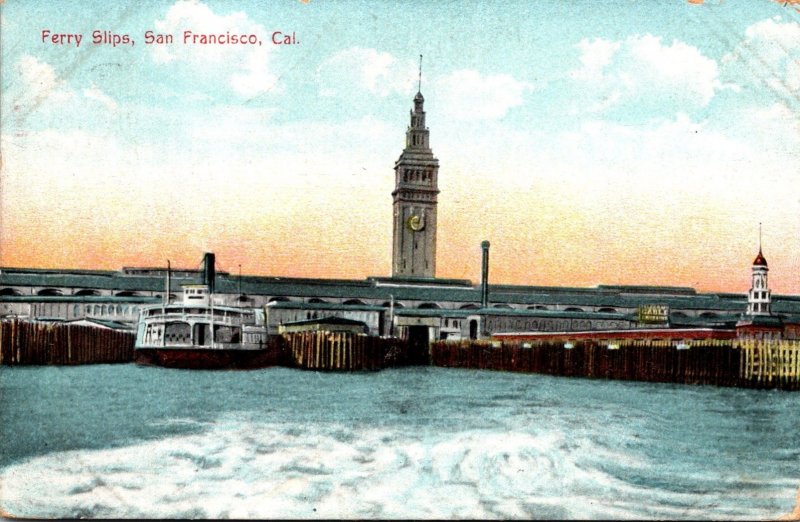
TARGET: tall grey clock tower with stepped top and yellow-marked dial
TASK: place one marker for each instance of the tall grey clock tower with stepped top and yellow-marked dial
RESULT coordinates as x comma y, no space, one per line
415,190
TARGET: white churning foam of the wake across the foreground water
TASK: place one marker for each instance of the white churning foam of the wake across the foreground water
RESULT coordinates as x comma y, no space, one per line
251,469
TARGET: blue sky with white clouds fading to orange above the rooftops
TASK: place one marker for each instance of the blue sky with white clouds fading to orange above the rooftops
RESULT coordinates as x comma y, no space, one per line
619,142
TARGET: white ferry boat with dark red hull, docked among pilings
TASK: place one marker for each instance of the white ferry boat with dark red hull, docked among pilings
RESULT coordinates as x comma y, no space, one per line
197,333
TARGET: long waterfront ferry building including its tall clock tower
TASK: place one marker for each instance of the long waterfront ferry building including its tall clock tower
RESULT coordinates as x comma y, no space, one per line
411,303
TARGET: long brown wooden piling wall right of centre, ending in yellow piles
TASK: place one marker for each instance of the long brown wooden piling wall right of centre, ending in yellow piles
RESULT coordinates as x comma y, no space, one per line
723,363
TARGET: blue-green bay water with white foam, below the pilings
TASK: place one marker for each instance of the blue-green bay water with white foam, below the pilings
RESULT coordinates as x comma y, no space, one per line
128,441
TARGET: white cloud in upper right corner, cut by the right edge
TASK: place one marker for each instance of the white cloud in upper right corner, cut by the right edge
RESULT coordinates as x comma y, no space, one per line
768,55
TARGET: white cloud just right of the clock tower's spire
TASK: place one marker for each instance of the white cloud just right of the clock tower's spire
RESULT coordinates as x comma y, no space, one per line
467,95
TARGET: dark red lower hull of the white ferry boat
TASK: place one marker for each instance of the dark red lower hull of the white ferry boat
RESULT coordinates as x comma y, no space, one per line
208,359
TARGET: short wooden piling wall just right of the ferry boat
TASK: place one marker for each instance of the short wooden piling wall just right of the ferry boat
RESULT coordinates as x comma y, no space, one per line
342,351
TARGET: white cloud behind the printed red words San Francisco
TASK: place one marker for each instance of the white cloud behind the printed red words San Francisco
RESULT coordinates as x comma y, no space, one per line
246,67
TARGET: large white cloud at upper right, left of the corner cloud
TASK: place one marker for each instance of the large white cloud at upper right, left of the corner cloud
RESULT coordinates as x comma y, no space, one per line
643,76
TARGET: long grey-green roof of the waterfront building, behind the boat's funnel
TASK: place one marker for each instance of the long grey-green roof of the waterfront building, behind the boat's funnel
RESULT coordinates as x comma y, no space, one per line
420,290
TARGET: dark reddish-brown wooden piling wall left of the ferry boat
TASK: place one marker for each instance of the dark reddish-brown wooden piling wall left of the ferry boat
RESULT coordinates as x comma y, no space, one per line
33,343
